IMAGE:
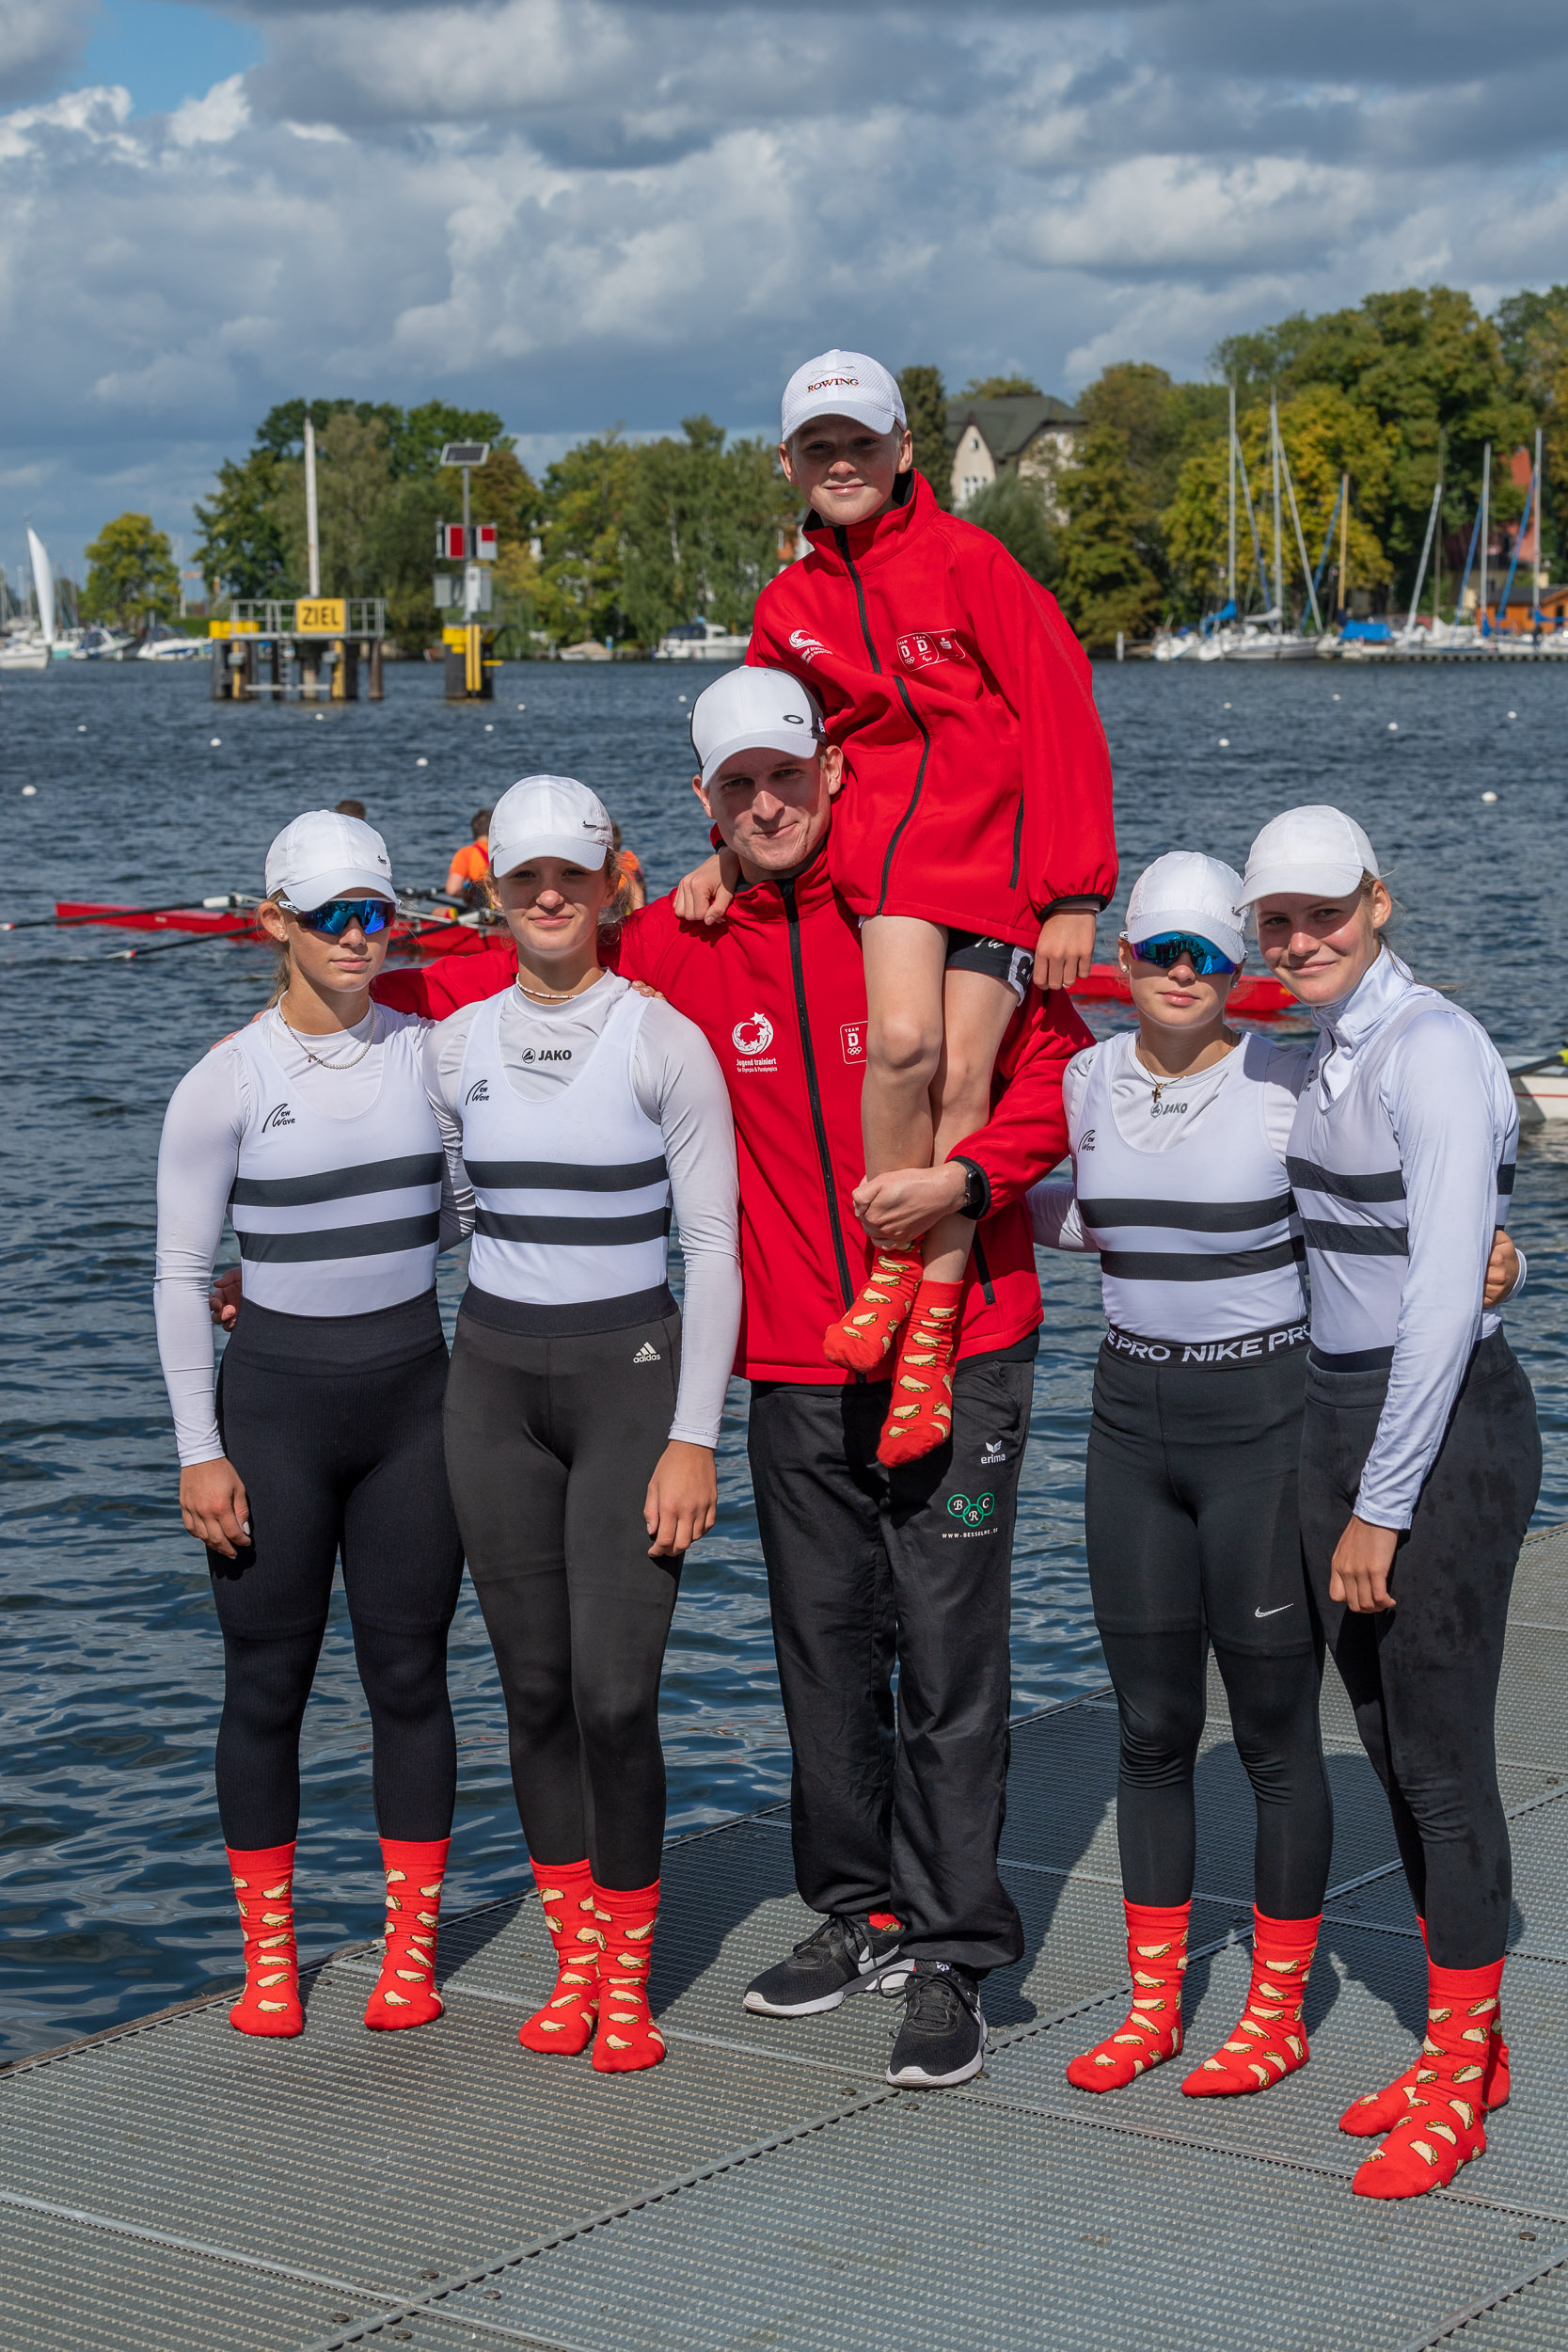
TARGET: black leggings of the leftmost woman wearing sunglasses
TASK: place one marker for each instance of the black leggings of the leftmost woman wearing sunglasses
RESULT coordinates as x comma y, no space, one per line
335,1424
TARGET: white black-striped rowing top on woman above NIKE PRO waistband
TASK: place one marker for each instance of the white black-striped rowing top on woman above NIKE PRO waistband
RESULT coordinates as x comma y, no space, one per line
1198,1243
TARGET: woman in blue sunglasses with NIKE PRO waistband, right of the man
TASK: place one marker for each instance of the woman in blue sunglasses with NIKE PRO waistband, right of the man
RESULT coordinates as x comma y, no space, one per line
1179,1149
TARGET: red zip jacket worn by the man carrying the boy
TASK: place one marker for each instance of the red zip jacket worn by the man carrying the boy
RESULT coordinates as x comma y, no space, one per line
779,991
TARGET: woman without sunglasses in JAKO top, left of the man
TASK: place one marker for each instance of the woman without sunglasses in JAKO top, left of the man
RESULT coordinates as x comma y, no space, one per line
582,1410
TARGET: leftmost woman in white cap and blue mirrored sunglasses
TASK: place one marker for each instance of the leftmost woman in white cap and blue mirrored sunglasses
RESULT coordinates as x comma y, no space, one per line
314,1132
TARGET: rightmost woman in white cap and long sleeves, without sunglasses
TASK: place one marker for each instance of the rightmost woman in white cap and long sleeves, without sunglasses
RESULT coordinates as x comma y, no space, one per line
1421,1455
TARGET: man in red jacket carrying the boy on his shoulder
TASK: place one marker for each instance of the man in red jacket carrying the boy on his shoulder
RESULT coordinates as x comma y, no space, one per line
897,1815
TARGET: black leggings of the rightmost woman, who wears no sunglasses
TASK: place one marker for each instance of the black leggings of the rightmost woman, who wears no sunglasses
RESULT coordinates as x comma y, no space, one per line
1423,1676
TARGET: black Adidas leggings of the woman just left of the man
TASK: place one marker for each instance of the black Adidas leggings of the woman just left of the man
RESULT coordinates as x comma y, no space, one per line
551,1445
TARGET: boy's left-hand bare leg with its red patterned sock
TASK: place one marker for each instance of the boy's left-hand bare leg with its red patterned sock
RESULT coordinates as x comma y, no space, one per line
904,1048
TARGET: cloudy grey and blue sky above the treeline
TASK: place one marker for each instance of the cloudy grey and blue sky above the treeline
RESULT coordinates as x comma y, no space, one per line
591,213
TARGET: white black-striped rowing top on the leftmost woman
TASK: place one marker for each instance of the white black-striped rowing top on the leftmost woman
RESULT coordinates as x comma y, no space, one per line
337,1217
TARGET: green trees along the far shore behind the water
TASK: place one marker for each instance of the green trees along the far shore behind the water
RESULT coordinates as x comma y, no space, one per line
622,540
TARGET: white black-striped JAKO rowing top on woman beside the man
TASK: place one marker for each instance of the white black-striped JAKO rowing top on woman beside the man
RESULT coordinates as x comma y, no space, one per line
572,1196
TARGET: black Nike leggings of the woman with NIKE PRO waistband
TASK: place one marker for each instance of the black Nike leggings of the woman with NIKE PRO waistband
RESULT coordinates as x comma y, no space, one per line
1193,1539
